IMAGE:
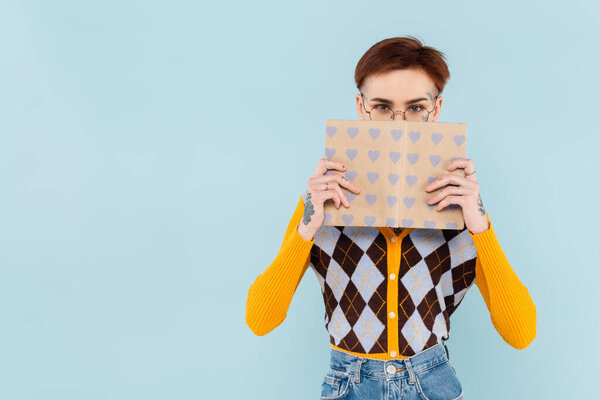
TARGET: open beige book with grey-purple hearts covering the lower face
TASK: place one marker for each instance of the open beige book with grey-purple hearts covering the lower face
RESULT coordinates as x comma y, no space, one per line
392,162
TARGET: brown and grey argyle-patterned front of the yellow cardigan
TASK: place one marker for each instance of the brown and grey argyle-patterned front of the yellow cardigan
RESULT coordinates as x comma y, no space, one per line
437,267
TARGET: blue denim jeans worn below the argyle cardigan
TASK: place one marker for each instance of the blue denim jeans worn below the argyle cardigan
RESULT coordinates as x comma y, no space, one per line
427,375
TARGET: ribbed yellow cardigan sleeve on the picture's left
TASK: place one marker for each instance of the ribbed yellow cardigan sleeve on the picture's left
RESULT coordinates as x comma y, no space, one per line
270,295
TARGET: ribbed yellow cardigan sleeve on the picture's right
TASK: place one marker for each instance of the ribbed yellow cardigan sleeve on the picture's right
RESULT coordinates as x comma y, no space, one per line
511,308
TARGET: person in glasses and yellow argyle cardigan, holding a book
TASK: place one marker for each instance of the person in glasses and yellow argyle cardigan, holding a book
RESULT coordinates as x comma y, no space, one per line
389,292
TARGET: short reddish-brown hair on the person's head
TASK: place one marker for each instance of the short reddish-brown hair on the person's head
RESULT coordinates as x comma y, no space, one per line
402,53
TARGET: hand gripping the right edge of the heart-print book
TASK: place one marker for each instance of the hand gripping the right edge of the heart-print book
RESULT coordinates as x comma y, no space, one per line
462,191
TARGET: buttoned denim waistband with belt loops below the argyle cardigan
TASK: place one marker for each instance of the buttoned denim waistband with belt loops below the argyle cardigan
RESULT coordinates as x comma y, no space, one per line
389,369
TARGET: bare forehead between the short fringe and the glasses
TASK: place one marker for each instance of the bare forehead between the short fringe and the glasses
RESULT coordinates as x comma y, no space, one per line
399,85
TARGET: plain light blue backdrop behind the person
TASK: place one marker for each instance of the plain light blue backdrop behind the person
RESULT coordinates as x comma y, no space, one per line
152,153
